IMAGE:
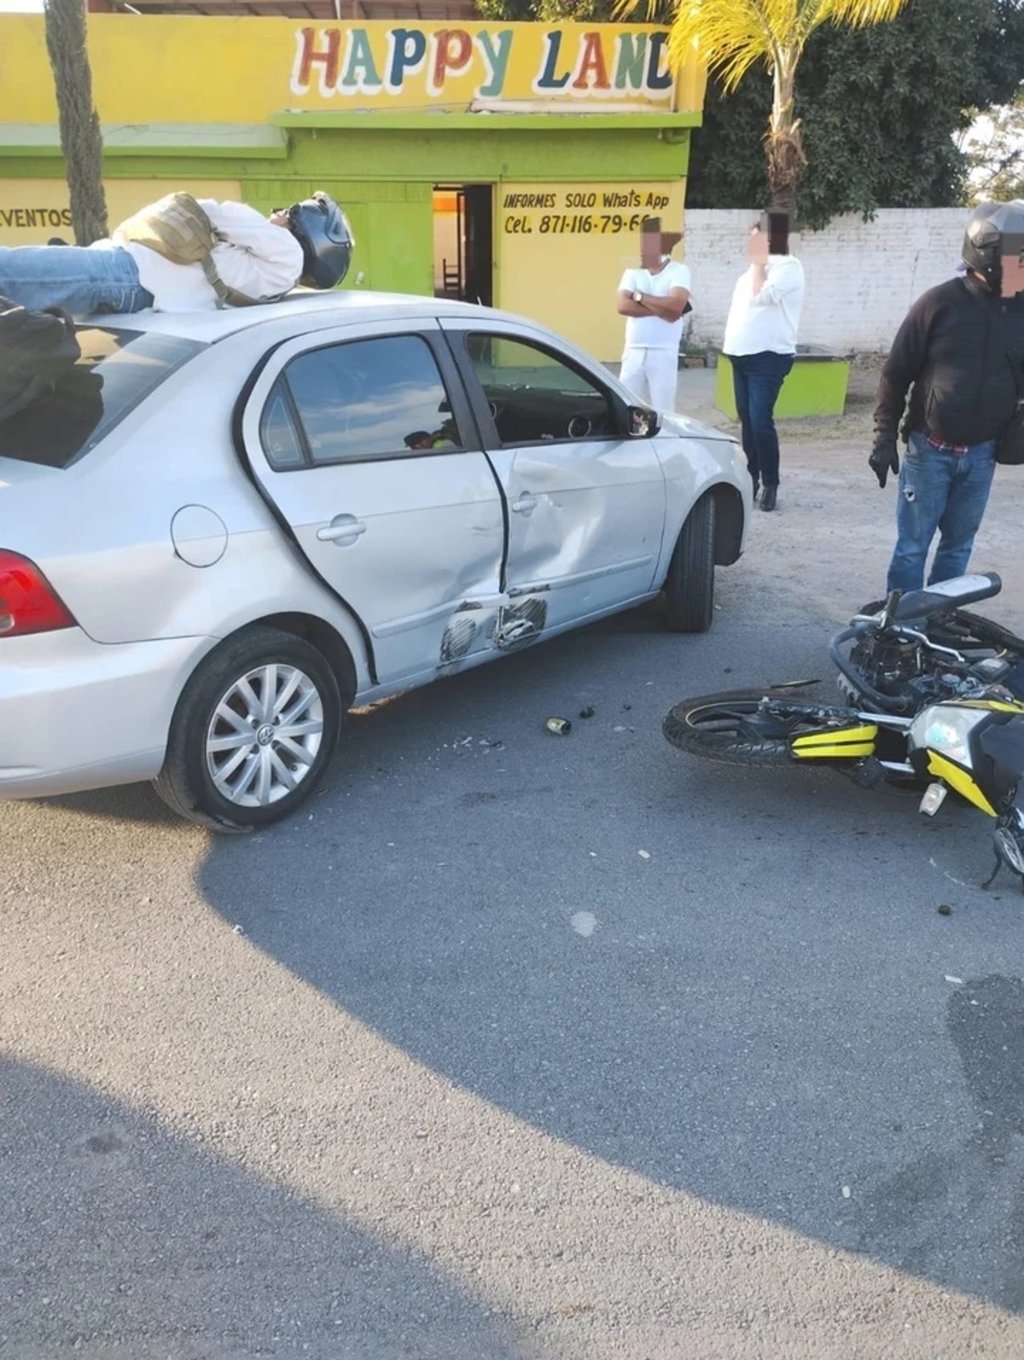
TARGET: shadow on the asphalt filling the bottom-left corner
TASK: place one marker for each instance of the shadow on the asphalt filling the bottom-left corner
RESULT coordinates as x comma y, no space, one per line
127,1241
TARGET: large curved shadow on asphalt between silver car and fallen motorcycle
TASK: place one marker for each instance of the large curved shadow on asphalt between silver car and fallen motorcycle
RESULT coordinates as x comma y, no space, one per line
727,981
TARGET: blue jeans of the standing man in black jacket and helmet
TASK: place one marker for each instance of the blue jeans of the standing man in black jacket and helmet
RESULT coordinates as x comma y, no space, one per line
946,492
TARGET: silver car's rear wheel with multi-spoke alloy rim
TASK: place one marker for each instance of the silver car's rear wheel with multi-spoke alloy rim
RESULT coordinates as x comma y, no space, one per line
254,732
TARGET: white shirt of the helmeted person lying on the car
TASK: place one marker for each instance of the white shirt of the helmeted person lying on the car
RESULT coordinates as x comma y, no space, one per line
256,259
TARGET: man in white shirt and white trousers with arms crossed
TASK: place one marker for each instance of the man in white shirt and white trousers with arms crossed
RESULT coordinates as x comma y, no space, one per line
653,300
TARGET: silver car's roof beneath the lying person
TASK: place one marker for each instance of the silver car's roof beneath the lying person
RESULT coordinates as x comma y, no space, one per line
324,308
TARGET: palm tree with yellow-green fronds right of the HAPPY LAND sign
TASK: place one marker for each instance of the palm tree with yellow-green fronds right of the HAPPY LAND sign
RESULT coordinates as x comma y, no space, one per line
732,36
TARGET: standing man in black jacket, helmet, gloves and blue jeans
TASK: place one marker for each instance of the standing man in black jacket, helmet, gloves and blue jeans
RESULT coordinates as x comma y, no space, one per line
961,350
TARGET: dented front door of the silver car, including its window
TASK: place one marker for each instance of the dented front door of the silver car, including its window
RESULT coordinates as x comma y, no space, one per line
587,498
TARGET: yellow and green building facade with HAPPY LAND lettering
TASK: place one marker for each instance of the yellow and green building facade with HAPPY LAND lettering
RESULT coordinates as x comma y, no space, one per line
509,164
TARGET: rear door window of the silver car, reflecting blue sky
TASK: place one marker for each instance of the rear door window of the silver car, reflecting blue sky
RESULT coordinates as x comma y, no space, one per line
364,399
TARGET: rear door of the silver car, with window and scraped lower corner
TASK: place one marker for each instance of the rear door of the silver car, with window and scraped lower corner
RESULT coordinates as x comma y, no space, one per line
366,448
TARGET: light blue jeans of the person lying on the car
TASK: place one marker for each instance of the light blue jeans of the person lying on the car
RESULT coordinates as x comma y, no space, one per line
80,279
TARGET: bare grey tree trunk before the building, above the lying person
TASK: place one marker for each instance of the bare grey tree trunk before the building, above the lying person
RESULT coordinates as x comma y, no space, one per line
81,139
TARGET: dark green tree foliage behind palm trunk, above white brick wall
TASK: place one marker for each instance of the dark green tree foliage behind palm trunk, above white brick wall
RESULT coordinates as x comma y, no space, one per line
879,109
